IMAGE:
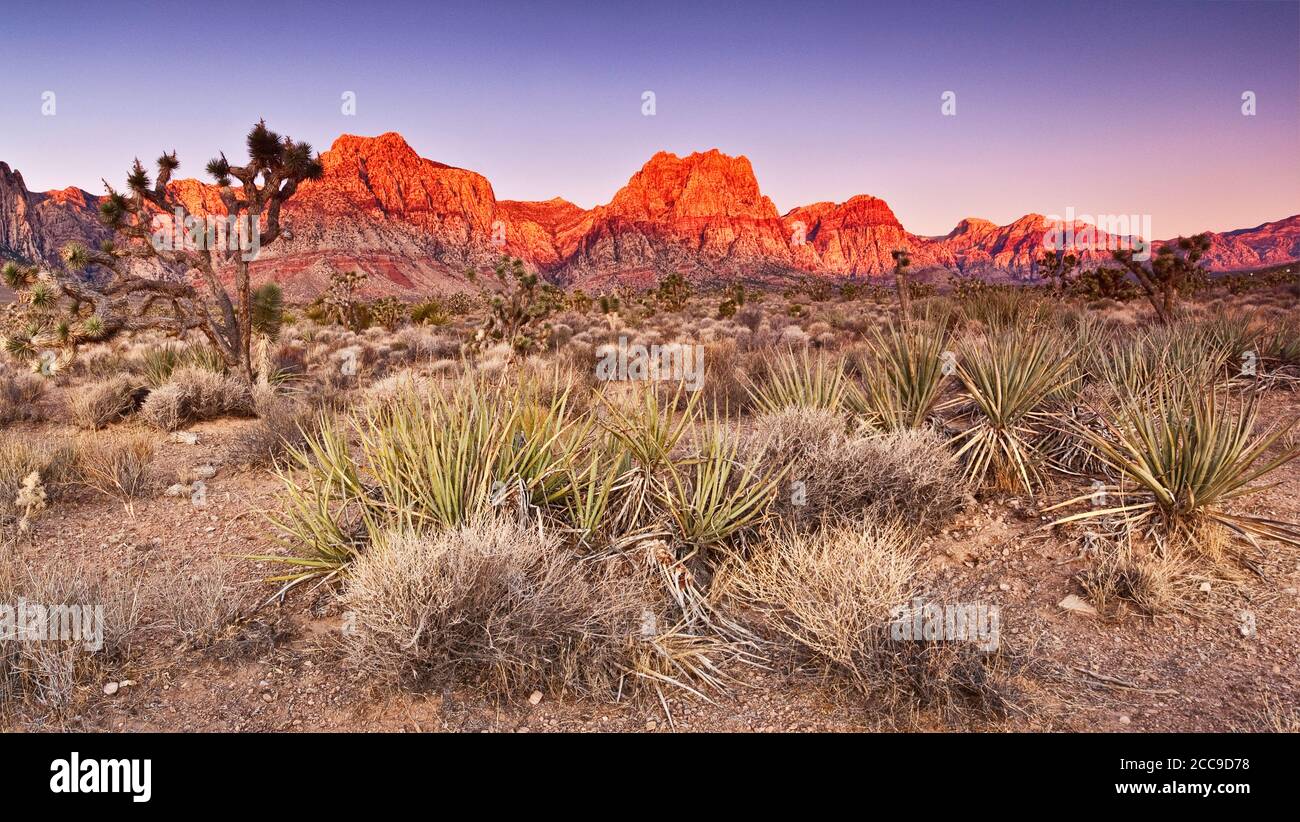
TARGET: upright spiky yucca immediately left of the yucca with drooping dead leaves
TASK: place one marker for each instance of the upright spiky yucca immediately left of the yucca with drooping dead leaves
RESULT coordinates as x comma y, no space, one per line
904,377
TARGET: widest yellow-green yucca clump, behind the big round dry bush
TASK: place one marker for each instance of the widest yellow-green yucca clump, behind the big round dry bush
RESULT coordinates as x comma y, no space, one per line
439,461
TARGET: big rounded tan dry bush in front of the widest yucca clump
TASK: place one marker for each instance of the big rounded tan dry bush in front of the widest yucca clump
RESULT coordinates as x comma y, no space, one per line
496,604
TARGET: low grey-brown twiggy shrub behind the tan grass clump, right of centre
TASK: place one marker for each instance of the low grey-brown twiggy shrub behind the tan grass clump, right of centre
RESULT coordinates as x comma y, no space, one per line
909,474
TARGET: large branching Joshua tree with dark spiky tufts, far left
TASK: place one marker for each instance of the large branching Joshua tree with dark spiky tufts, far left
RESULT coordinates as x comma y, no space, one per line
64,310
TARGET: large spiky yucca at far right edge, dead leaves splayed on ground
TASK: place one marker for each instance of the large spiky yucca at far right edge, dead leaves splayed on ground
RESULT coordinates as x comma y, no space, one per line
1182,457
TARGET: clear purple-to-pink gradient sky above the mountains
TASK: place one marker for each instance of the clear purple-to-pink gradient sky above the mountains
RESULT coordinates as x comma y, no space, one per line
1104,107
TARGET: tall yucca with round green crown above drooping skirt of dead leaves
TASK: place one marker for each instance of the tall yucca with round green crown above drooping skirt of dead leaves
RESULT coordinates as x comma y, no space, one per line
1008,379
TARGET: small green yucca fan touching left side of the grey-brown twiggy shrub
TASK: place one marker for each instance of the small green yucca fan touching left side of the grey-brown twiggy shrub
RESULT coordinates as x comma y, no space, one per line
716,495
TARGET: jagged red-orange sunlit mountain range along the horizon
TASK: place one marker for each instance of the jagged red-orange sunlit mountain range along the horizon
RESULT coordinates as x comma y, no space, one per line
415,226
